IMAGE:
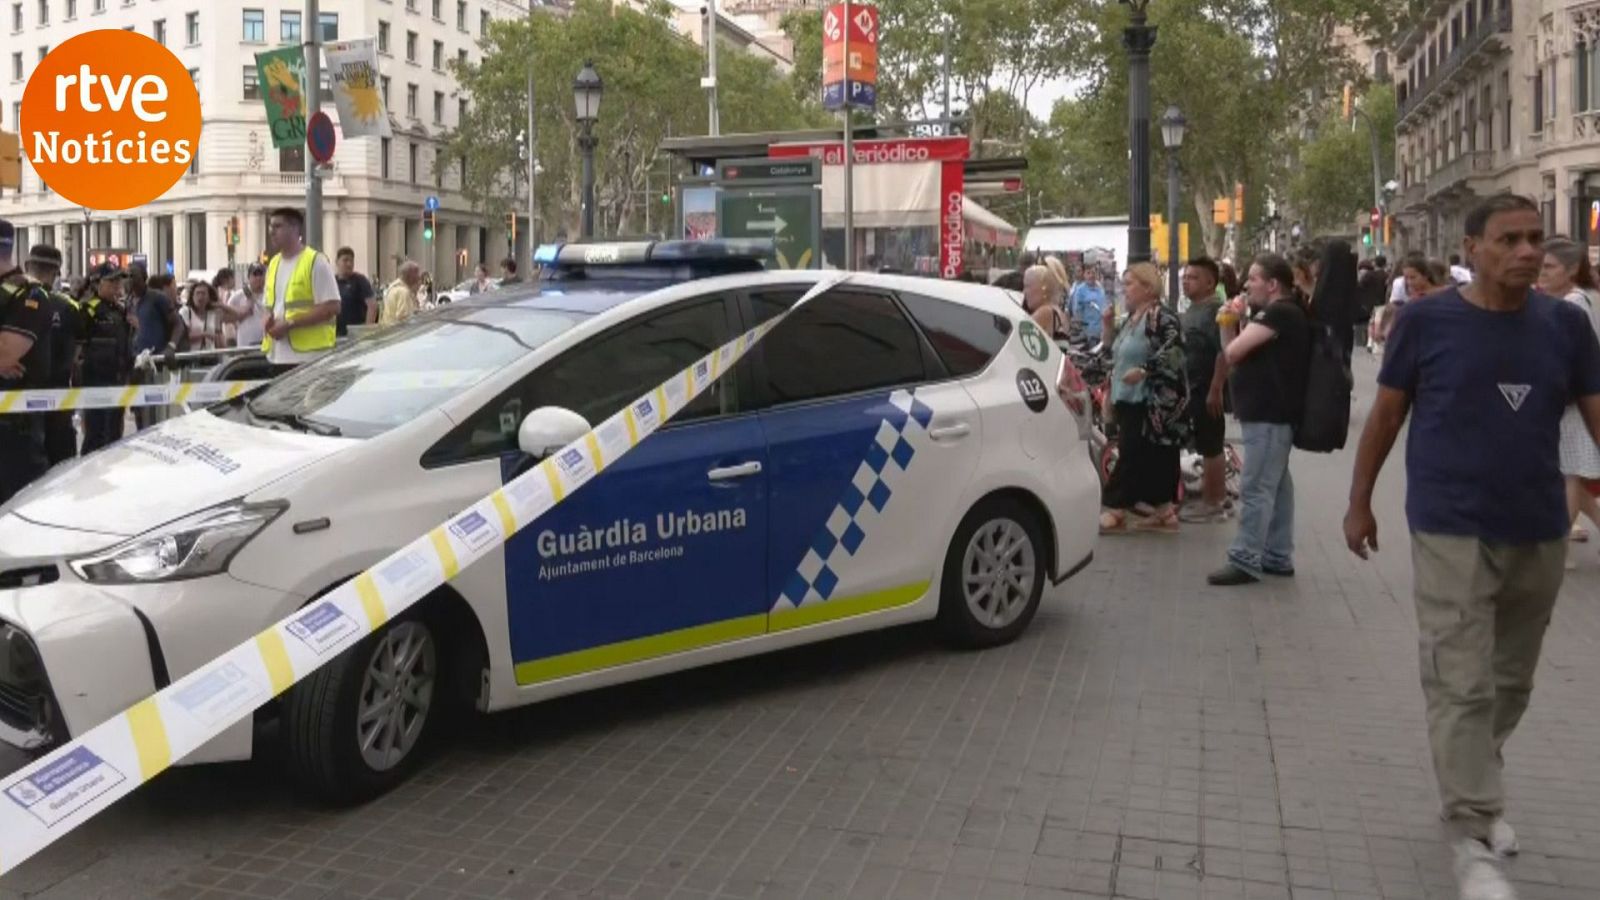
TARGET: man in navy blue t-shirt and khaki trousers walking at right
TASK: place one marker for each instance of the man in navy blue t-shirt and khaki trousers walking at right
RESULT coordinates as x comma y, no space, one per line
1486,372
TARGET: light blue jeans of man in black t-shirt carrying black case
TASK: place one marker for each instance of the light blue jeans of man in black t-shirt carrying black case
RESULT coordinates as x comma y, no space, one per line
1266,521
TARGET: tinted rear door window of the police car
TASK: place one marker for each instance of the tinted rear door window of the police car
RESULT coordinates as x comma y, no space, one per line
839,344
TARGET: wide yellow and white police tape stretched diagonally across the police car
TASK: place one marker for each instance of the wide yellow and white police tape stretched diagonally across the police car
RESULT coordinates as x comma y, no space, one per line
57,794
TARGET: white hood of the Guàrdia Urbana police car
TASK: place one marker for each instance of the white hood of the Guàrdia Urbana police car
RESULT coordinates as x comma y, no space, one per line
169,472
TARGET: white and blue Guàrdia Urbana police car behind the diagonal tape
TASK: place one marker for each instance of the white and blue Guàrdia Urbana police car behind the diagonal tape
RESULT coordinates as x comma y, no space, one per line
892,452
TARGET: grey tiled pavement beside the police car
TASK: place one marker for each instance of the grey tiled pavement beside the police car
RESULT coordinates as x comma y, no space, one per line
1148,739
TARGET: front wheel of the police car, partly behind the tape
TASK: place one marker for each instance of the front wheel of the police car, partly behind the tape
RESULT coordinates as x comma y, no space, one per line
358,726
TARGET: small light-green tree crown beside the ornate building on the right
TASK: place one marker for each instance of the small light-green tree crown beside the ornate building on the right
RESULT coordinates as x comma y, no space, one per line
1334,185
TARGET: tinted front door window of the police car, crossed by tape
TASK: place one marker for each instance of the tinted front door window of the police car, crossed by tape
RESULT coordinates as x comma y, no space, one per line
598,377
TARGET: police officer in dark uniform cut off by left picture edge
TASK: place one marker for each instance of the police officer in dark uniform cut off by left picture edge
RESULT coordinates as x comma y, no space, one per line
25,364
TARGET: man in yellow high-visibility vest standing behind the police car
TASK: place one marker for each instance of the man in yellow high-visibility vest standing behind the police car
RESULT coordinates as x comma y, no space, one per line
302,295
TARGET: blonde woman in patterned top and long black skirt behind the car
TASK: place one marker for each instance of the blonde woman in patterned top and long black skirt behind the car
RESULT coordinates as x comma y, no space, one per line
1150,392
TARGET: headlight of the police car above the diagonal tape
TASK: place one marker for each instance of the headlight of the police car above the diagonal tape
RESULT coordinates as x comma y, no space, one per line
190,548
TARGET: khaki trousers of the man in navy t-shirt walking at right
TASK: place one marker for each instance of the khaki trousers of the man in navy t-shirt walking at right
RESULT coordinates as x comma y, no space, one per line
1482,611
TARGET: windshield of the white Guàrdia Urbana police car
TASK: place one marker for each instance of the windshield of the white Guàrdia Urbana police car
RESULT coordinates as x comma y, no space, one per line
398,374
